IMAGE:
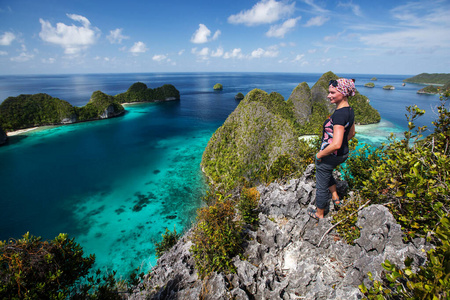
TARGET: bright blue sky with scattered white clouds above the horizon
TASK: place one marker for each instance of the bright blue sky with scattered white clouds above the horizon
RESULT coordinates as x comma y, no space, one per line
305,36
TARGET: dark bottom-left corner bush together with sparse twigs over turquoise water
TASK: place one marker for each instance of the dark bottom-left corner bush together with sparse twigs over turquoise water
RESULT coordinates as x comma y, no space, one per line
31,268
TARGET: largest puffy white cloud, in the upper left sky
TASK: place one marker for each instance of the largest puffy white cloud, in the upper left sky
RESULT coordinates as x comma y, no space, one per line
72,38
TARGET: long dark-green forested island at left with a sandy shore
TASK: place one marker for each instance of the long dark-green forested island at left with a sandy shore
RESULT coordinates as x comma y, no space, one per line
25,111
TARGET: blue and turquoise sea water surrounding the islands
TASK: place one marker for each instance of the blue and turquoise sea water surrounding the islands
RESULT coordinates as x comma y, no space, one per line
116,184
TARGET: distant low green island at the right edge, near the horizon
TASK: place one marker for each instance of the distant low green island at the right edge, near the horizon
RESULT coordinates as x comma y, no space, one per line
437,83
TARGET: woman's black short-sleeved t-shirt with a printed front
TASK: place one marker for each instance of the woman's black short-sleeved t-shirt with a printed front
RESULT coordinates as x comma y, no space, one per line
344,116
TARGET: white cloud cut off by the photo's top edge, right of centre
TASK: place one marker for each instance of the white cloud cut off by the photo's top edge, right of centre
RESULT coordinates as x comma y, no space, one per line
263,12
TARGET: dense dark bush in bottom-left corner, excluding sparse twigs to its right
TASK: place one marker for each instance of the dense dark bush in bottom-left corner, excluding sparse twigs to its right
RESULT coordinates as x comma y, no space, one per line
35,269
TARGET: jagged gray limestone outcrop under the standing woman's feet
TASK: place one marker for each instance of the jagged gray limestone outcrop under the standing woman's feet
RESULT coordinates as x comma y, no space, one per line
283,259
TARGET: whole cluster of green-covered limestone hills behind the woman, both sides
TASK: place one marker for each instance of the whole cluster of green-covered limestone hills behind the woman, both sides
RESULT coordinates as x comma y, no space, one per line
259,141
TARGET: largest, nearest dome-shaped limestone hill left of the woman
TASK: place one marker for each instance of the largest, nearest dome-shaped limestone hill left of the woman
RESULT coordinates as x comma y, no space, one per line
251,139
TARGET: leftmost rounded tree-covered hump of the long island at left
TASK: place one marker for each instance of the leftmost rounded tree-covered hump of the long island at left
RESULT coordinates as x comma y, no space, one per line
26,111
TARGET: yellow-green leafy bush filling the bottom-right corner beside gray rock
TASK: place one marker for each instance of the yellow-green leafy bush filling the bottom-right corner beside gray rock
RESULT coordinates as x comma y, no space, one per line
431,281
